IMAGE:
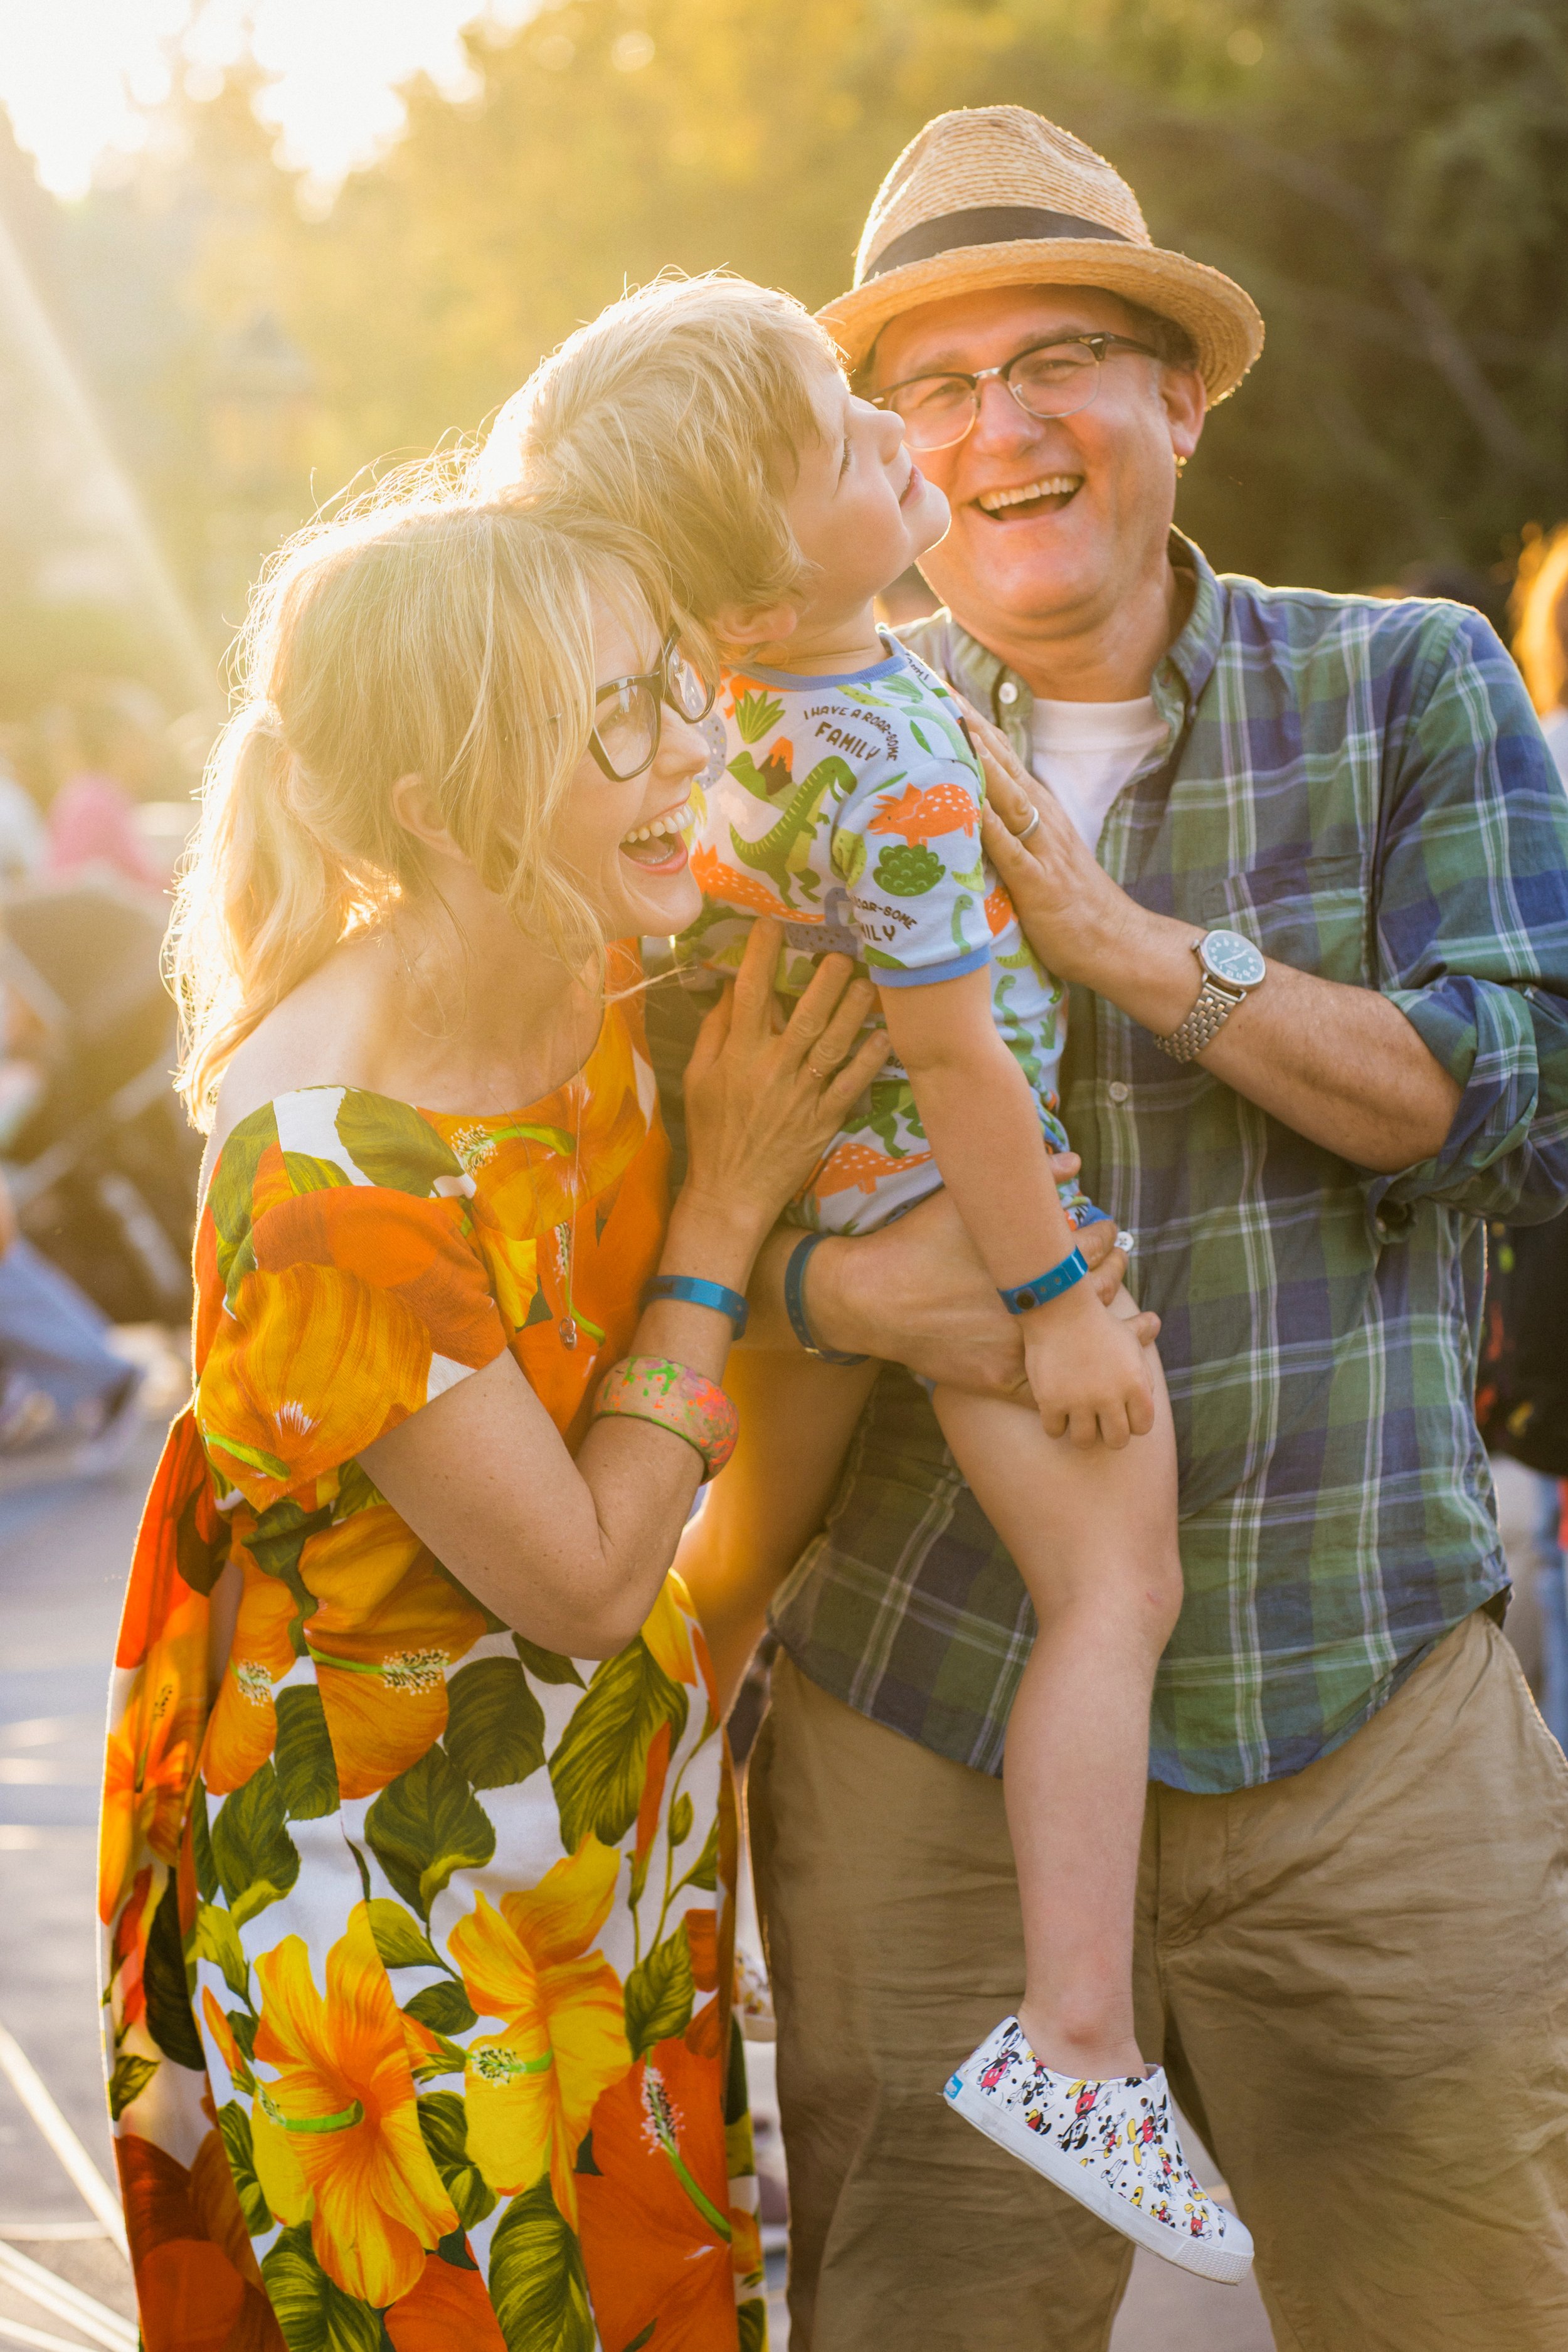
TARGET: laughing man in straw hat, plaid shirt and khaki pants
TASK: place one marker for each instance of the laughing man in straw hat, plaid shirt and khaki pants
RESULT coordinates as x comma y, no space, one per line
1355,1892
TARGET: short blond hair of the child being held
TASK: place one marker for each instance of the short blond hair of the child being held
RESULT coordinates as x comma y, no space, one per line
681,410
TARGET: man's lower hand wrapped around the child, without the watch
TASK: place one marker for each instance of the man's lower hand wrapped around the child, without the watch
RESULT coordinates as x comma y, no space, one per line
918,1295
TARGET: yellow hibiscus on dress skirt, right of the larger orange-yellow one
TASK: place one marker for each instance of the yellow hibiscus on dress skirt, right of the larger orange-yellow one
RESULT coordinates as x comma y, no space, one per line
532,2090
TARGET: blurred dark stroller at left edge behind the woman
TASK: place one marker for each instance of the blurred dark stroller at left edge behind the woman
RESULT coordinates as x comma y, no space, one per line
100,1163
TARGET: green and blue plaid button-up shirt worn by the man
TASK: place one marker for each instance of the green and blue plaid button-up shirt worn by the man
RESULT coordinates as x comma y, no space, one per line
1365,791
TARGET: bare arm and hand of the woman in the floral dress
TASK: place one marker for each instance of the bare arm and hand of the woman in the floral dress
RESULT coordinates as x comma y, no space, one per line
568,1551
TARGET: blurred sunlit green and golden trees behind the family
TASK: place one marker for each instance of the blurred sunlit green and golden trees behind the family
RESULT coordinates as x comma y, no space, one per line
1388,178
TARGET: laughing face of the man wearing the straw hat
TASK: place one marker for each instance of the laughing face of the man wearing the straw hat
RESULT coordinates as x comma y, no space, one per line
1054,519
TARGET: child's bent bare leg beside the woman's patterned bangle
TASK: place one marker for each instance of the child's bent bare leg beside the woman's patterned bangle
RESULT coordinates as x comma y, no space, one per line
772,1497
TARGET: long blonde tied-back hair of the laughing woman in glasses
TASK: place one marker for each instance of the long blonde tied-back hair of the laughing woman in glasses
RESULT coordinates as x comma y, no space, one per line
422,634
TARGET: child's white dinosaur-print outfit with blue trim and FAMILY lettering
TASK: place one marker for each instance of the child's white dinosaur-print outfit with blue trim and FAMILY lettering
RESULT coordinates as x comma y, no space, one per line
850,808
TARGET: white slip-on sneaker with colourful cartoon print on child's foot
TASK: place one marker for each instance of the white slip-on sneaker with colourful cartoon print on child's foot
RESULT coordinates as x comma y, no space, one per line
1108,2144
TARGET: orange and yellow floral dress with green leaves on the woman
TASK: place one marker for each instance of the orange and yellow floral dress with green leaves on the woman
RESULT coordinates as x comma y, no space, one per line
417,1937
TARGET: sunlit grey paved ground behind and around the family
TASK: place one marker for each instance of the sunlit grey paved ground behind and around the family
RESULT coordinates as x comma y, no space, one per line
65,1549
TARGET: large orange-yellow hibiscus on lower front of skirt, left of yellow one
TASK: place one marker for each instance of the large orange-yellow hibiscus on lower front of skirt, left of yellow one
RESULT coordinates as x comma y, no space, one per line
344,2097
